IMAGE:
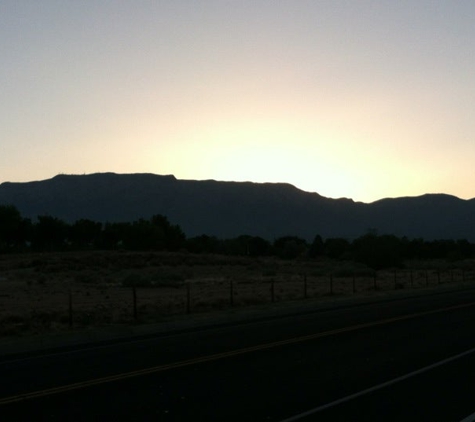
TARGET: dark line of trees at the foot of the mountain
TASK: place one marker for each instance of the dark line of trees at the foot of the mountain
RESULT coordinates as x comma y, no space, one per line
47,233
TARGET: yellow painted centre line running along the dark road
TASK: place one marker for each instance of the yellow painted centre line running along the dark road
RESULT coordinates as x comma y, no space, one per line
217,356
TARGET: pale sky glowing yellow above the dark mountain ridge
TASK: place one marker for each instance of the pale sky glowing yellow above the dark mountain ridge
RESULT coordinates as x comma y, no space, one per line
364,99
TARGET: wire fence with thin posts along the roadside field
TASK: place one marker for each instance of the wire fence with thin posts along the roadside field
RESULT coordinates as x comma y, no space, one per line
41,307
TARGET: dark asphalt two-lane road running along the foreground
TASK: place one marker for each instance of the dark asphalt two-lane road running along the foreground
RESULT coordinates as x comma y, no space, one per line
411,359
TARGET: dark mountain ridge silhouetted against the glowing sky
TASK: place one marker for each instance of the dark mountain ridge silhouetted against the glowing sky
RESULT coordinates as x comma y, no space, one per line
229,209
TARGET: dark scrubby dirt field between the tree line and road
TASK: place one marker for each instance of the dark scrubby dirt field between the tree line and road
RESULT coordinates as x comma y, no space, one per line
60,291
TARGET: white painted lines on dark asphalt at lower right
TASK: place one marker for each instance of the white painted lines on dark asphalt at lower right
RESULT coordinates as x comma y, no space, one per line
470,418
